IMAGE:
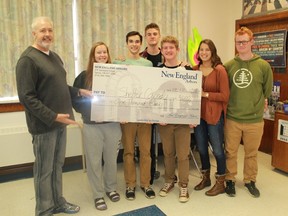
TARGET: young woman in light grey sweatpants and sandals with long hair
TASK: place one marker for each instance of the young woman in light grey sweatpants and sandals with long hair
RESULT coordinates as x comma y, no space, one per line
100,139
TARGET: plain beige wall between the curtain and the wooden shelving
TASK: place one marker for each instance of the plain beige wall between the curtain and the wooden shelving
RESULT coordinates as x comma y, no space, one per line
215,19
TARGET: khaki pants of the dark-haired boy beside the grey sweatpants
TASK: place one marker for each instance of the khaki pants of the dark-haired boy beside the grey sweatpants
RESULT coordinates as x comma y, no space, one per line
143,133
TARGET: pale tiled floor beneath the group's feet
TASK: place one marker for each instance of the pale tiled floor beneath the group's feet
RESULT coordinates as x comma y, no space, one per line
17,197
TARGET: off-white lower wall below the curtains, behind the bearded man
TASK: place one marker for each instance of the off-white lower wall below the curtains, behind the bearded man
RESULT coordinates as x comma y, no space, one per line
15,141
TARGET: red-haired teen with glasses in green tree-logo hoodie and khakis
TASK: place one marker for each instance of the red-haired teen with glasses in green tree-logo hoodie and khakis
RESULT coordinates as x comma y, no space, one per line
251,81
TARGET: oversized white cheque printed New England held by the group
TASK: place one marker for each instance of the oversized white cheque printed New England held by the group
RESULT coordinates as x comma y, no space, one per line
128,93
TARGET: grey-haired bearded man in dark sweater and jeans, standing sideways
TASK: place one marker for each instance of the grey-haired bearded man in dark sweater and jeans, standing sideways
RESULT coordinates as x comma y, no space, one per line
46,97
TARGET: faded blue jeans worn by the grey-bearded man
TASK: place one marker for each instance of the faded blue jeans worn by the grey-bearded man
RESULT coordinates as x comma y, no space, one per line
49,150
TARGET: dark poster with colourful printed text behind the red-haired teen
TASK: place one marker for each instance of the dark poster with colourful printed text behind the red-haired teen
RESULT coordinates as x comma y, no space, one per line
271,46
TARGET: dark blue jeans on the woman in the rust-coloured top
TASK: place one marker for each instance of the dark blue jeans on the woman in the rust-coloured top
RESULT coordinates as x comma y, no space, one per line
214,134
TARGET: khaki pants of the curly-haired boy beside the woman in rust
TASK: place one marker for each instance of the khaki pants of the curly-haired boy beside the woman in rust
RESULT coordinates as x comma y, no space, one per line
176,142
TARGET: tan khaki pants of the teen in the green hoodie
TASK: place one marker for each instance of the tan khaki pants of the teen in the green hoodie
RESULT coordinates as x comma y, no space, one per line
251,135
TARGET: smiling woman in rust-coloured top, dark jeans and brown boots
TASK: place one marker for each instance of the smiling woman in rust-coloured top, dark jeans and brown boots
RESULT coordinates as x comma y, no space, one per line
215,96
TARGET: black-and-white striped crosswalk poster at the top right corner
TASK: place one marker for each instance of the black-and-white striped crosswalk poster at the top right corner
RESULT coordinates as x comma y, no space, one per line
261,7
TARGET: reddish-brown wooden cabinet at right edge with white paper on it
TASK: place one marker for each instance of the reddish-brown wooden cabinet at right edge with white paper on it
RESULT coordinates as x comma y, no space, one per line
280,148
